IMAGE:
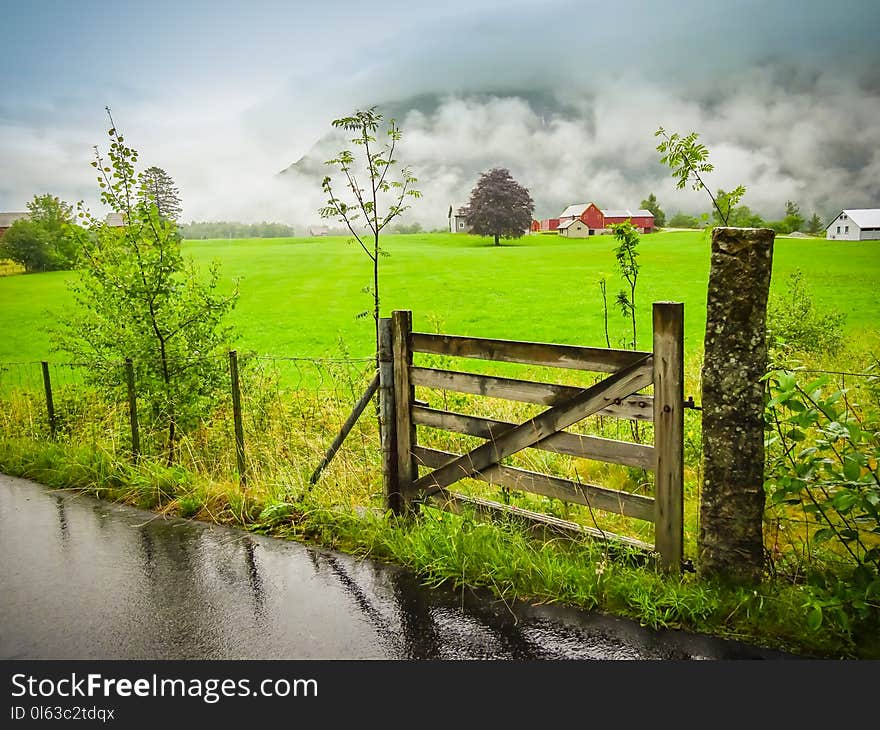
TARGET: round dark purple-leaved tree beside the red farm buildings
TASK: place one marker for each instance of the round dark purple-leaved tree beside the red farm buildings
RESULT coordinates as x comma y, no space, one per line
499,206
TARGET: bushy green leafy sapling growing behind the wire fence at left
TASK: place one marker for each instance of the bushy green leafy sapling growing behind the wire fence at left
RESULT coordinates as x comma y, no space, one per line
137,297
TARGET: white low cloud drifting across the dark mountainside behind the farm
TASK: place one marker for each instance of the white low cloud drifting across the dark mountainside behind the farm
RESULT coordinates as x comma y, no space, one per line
782,144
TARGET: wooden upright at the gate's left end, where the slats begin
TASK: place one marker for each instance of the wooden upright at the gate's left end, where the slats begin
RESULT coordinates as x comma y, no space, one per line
407,469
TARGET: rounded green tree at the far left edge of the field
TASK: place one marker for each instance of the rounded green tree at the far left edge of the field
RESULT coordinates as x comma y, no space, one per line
47,240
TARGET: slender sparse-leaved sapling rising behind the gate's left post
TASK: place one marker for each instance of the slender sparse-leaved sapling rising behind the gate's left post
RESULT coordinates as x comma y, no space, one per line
377,192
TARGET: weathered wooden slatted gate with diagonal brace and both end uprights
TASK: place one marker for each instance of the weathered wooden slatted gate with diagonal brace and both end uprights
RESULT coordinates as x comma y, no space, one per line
617,395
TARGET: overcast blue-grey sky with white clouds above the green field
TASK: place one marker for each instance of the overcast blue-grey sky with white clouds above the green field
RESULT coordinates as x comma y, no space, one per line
223,95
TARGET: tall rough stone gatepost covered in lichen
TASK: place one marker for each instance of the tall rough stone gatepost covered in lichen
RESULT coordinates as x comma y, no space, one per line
731,546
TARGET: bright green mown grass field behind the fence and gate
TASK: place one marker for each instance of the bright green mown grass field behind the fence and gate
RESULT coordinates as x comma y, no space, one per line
300,296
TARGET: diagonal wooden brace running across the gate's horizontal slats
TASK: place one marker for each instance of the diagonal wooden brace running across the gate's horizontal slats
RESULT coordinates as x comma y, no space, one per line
619,385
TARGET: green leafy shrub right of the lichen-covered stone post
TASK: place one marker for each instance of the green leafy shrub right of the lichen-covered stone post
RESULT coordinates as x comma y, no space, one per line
822,472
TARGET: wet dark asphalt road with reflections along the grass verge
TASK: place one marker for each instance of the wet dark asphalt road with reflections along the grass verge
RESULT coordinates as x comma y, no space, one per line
86,579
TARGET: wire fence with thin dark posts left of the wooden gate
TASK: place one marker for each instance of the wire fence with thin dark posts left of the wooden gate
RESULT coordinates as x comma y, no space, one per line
285,411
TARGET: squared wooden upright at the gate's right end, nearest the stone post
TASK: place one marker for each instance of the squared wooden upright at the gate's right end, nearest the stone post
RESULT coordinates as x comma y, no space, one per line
669,433
